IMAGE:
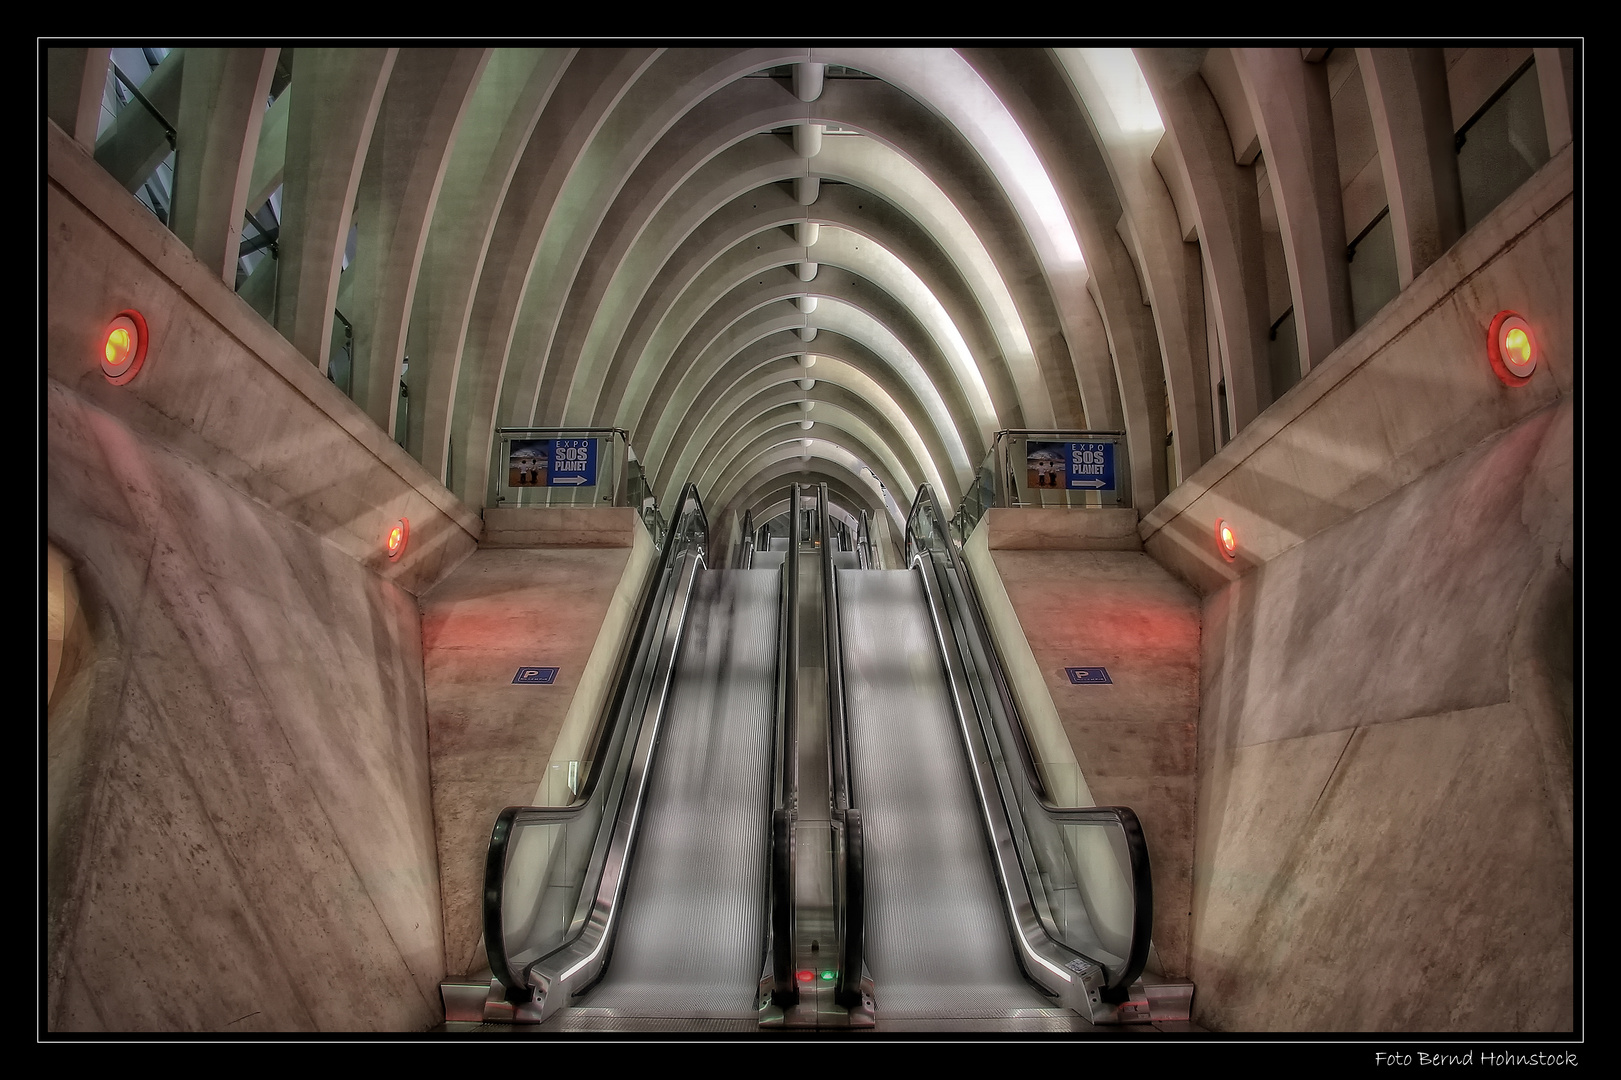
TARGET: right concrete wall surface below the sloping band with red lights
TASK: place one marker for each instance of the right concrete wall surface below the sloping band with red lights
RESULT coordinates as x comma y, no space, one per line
1385,812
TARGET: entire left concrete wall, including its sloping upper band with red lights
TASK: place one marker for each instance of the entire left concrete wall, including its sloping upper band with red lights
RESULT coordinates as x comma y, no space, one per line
244,831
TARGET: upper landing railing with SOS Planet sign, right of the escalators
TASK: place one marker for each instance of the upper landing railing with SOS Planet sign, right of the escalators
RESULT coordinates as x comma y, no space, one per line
1059,468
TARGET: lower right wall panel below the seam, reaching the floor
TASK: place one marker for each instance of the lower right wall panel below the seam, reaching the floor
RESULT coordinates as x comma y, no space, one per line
1401,878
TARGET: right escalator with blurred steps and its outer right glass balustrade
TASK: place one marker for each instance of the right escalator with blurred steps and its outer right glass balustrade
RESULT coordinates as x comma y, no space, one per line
986,906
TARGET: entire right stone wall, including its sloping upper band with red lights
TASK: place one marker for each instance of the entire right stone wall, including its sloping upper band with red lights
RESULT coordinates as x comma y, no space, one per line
1385,804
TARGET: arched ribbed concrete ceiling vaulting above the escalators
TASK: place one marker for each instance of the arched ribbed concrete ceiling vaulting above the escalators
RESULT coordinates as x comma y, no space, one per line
962,239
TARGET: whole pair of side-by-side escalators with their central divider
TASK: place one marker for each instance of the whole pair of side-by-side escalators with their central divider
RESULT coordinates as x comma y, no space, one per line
813,805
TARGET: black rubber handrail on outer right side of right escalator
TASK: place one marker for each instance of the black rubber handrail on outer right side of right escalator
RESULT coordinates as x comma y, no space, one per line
1137,849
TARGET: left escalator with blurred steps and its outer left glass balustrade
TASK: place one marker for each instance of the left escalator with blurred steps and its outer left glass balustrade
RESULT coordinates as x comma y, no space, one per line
646,906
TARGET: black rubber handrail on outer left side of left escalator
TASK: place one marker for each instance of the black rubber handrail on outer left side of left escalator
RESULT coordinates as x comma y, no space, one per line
609,739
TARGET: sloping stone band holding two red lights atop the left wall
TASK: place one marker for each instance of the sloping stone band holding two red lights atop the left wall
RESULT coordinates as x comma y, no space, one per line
223,388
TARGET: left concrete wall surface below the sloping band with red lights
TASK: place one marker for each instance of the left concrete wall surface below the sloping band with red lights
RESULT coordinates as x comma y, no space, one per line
247,839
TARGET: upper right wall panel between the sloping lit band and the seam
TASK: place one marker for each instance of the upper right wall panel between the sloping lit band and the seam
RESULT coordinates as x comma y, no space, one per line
1400,612
